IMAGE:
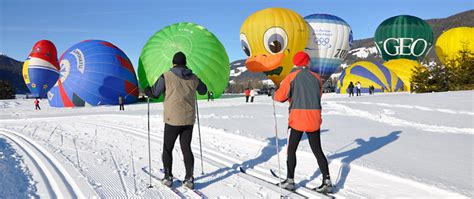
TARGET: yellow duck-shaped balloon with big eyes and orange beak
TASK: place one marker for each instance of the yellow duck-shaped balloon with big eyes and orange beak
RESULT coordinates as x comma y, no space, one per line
270,38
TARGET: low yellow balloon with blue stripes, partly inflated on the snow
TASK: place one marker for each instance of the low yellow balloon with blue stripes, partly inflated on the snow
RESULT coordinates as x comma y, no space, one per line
369,74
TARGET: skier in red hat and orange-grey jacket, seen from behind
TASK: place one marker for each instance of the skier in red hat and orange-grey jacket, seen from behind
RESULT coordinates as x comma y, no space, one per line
303,89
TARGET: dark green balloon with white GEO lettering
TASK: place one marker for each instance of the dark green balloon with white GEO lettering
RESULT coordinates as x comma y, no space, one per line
405,37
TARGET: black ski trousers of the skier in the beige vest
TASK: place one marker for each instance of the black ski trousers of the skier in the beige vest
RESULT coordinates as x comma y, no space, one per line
185,134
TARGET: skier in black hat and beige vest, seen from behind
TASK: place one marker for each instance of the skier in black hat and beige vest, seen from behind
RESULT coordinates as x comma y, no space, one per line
179,86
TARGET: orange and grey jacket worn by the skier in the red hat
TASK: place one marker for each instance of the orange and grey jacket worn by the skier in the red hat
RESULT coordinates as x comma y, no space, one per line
303,89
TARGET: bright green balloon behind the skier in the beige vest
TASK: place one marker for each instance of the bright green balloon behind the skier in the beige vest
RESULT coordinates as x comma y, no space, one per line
205,56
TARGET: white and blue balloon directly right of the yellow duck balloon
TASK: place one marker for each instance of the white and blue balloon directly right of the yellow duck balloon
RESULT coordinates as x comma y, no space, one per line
329,43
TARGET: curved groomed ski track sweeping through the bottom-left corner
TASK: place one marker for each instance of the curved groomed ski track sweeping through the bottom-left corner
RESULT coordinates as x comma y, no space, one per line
60,181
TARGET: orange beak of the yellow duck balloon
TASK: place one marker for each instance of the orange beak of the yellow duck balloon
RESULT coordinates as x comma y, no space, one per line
265,63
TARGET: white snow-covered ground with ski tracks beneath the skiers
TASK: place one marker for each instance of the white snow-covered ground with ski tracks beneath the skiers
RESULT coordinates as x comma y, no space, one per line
382,146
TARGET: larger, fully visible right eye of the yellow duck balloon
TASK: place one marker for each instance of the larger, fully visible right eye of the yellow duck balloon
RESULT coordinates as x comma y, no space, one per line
275,40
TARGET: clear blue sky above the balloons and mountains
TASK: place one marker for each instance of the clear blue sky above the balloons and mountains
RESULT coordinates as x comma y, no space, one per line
129,24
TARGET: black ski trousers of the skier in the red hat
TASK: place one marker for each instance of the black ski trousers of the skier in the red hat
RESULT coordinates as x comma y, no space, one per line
314,139
